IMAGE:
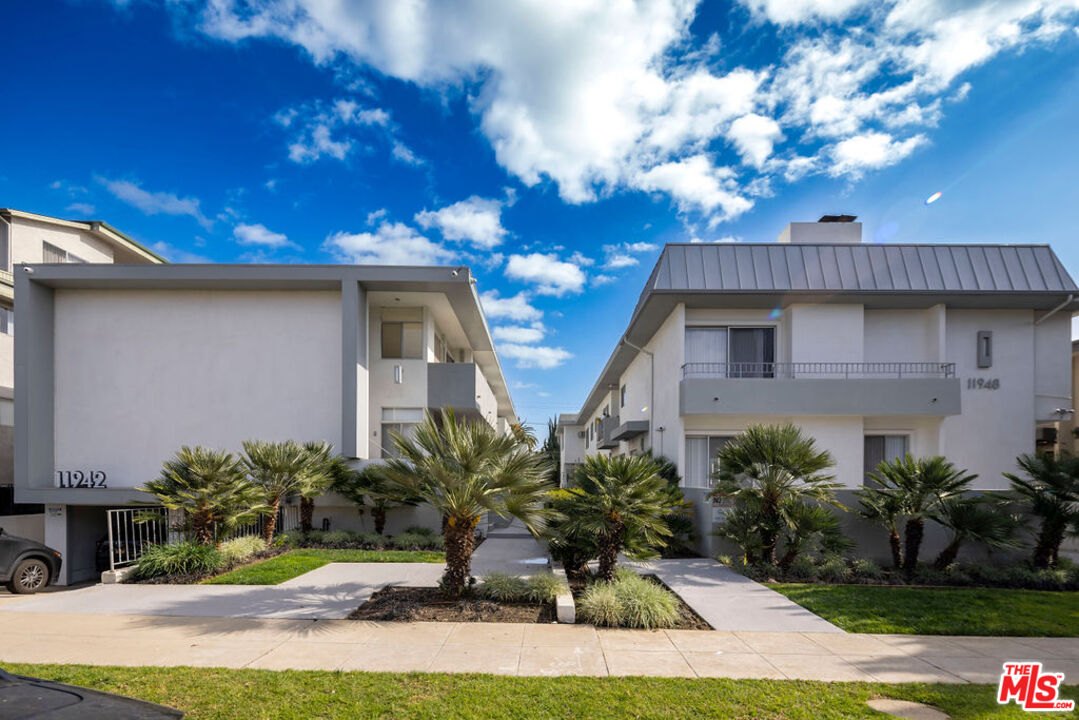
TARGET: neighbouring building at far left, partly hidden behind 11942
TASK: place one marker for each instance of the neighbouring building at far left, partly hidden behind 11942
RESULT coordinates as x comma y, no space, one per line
31,238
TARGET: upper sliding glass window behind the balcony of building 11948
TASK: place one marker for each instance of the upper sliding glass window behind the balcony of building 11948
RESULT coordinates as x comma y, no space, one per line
735,352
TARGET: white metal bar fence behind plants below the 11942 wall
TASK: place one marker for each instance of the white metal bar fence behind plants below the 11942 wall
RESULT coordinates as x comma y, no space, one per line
134,529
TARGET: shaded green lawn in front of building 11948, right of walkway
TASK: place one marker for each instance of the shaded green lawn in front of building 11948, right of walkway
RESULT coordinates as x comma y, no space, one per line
940,612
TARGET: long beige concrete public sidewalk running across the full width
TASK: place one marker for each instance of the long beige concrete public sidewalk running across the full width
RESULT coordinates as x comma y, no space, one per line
515,649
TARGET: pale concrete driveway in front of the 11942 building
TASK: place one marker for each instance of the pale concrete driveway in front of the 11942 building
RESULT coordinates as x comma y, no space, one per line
329,593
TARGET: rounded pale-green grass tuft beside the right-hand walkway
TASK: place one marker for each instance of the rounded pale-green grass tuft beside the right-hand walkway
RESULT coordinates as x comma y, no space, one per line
630,601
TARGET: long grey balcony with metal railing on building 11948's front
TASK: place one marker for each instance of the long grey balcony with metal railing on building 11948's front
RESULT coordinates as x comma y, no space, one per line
865,389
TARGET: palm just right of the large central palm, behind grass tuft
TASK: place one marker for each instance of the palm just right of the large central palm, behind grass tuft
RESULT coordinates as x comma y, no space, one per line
621,501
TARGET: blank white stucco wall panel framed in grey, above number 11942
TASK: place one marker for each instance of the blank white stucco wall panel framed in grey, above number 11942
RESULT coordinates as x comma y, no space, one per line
140,374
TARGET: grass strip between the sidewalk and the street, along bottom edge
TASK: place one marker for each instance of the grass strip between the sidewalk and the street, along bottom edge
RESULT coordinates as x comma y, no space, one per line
207,694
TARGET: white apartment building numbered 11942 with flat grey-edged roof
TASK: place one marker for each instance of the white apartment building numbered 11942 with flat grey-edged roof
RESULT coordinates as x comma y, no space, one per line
124,365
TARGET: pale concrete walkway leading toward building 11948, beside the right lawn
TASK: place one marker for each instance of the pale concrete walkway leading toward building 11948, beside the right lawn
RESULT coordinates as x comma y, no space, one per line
731,602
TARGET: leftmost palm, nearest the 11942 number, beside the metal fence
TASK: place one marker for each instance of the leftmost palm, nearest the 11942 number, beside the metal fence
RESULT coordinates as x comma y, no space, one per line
212,491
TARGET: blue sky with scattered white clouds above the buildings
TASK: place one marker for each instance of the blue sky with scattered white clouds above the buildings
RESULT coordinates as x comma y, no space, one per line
554,147
